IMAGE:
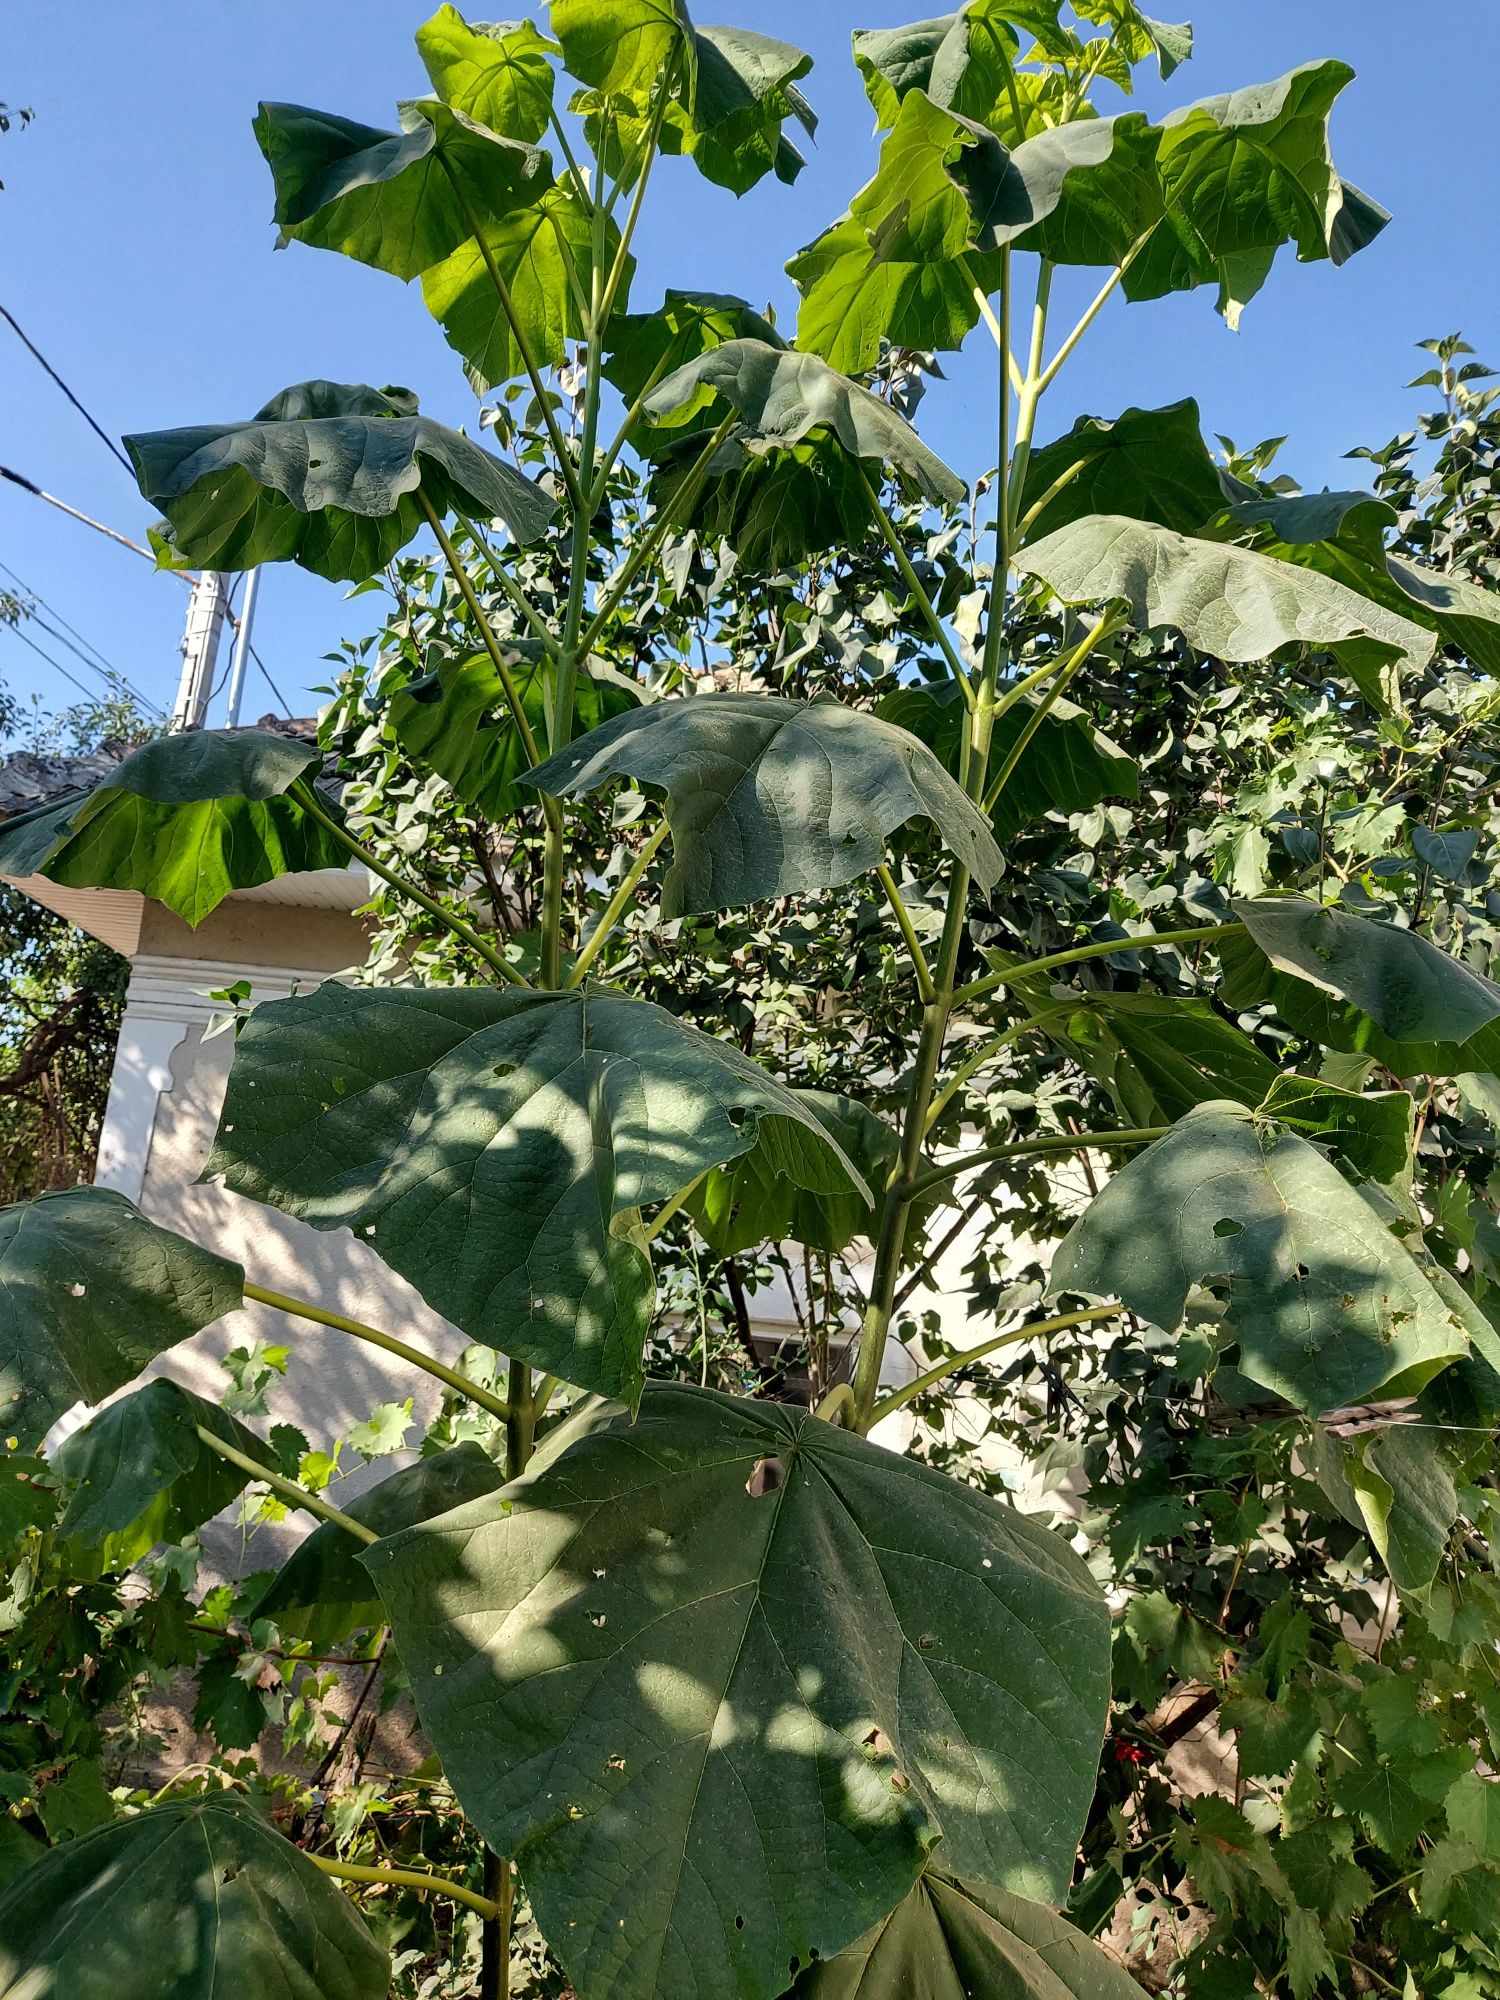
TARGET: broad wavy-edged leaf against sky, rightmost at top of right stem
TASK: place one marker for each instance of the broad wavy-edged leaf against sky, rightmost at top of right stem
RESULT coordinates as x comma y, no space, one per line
1207,197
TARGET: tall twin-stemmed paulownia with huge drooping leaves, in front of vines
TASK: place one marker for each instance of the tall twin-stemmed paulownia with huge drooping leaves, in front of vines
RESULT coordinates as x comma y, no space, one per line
745,1699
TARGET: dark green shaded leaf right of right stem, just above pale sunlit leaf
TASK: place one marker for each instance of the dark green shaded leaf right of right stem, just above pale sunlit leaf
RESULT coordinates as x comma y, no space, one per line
1147,465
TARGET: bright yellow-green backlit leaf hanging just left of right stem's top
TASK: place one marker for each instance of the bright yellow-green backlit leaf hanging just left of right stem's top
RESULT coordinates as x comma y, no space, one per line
907,257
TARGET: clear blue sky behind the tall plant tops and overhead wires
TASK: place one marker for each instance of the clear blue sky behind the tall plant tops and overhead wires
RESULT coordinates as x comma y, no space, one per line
137,251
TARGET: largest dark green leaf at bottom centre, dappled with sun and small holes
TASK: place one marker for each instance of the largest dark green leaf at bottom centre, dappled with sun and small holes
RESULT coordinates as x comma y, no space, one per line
721,1733
